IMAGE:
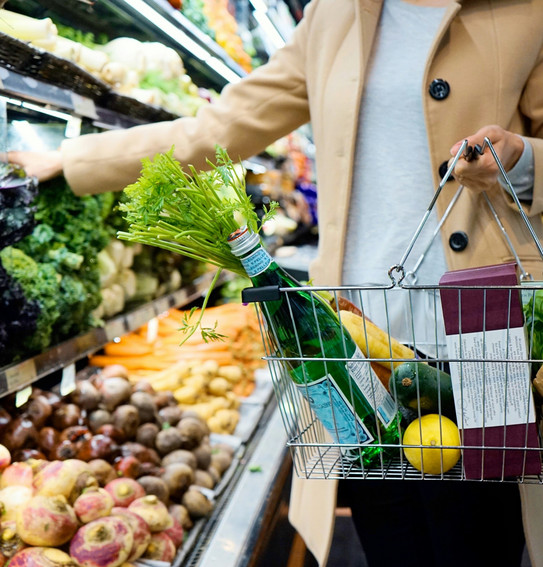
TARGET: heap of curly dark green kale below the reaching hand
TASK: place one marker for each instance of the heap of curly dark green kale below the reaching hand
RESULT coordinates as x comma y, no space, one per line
55,266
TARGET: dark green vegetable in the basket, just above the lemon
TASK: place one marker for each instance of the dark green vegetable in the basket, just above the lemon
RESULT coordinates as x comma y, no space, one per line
423,388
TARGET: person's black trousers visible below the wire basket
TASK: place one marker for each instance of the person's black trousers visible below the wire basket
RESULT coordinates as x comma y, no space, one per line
436,523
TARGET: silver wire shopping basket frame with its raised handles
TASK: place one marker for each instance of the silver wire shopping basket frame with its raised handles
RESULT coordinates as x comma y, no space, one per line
314,453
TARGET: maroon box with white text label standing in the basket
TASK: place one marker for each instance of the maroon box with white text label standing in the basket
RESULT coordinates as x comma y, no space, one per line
493,396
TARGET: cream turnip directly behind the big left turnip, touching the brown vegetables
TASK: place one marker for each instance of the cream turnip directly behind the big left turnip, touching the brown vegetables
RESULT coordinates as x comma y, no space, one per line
67,478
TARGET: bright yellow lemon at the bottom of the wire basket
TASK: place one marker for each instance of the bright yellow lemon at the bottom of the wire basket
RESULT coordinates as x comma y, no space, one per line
430,432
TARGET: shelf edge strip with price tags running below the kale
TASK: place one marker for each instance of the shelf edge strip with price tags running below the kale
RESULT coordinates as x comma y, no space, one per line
17,376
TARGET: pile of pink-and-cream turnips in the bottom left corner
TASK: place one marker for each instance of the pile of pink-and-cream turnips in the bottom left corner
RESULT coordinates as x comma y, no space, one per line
58,513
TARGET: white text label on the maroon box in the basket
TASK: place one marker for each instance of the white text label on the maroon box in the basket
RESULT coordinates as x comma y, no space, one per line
491,392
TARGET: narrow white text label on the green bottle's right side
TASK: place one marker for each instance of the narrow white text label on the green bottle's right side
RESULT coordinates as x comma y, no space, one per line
371,387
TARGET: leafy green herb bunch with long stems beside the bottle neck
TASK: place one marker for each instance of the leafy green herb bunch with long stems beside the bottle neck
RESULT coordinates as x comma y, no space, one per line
191,214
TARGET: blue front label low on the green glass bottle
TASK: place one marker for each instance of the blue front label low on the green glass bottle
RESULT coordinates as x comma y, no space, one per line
335,412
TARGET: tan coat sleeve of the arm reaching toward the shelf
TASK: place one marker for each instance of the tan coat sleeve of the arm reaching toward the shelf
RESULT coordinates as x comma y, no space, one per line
249,115
